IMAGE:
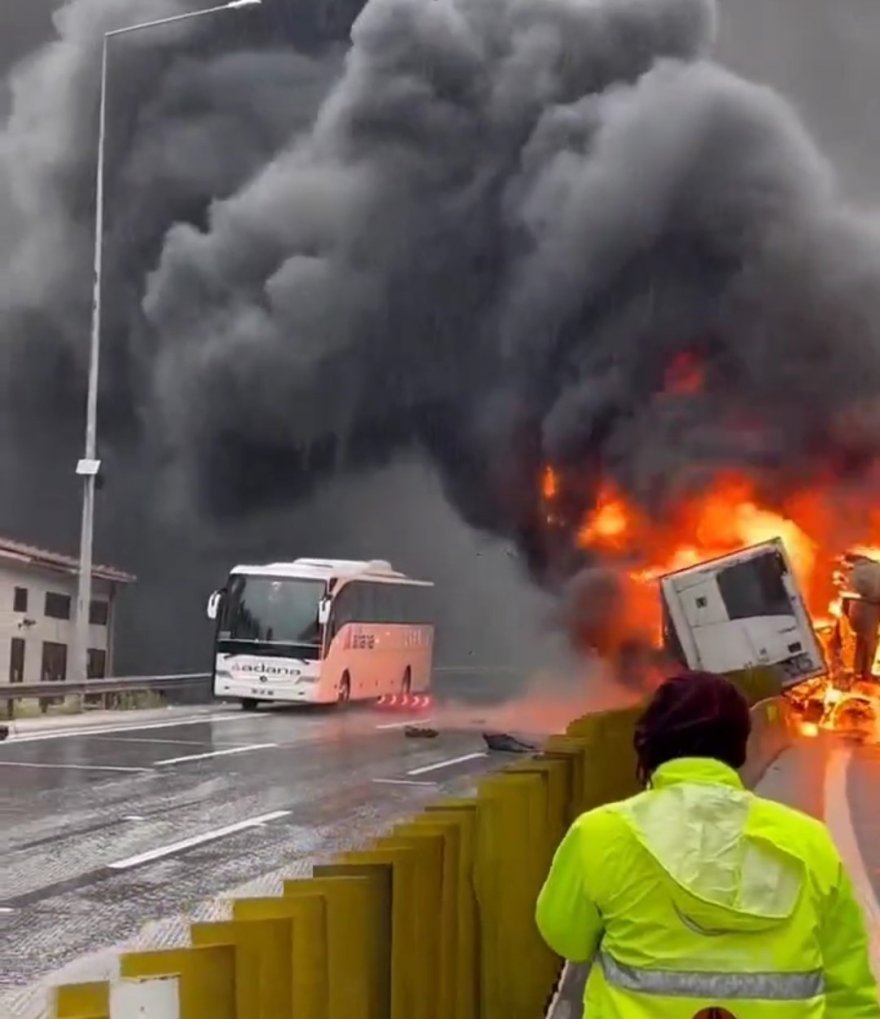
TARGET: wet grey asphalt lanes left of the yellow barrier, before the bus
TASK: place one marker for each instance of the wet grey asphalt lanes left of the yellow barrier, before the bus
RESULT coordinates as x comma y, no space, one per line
102,832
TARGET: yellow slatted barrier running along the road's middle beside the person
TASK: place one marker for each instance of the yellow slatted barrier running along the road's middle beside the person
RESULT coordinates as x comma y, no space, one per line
433,921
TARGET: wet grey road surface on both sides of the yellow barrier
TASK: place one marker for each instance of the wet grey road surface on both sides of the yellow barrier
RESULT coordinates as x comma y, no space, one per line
112,828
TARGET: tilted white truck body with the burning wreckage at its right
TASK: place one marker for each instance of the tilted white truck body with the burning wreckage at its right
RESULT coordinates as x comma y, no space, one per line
746,611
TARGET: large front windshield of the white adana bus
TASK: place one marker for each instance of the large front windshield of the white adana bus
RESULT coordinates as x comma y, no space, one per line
272,611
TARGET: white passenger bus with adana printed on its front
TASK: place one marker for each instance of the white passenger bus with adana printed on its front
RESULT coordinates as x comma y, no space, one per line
321,632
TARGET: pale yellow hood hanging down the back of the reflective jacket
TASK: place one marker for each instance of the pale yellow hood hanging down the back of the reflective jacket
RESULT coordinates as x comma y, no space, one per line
694,822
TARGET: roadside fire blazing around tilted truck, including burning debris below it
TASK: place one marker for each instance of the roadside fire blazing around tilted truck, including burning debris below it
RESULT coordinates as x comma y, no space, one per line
819,529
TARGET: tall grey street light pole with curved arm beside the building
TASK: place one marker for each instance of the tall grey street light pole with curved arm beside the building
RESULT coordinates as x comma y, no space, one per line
89,466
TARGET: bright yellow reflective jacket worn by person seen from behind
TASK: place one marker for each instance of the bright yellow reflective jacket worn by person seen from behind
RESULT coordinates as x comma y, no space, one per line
698,895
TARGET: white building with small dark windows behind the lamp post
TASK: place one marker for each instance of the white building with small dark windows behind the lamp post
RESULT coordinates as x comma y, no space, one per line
38,606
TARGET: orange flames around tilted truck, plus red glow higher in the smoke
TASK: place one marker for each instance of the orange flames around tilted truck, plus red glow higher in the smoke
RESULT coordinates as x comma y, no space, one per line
820,524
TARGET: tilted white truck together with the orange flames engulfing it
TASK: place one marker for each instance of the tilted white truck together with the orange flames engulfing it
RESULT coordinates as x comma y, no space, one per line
744,583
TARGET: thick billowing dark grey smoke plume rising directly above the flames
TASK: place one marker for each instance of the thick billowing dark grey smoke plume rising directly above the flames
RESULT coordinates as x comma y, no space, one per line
546,202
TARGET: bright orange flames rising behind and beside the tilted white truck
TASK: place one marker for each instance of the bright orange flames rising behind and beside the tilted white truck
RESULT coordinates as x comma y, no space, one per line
818,526
